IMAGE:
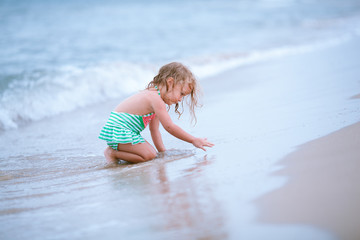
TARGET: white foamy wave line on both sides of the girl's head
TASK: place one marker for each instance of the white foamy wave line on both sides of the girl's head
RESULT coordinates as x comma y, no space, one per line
39,94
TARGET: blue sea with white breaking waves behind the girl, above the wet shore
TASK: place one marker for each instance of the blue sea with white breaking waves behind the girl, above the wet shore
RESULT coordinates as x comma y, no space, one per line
57,56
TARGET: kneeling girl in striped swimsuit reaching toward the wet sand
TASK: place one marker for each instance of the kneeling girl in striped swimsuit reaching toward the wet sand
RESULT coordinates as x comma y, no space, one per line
122,131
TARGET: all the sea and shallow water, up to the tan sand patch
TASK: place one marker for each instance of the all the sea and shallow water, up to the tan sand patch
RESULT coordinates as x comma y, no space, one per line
64,65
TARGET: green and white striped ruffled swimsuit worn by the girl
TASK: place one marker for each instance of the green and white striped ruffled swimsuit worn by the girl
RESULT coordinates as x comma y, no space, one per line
125,128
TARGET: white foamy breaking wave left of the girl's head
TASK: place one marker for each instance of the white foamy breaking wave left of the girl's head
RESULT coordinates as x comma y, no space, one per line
67,89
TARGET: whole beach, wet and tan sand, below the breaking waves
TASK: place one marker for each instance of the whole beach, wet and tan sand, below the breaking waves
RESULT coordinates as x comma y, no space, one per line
55,184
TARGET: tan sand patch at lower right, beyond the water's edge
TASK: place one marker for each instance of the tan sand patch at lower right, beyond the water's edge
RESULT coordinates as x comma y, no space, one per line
323,187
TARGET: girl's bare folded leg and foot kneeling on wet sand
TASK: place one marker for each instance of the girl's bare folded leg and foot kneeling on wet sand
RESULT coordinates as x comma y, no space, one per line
140,152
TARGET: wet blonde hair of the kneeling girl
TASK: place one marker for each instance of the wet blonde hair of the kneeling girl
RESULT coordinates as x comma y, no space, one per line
181,75
